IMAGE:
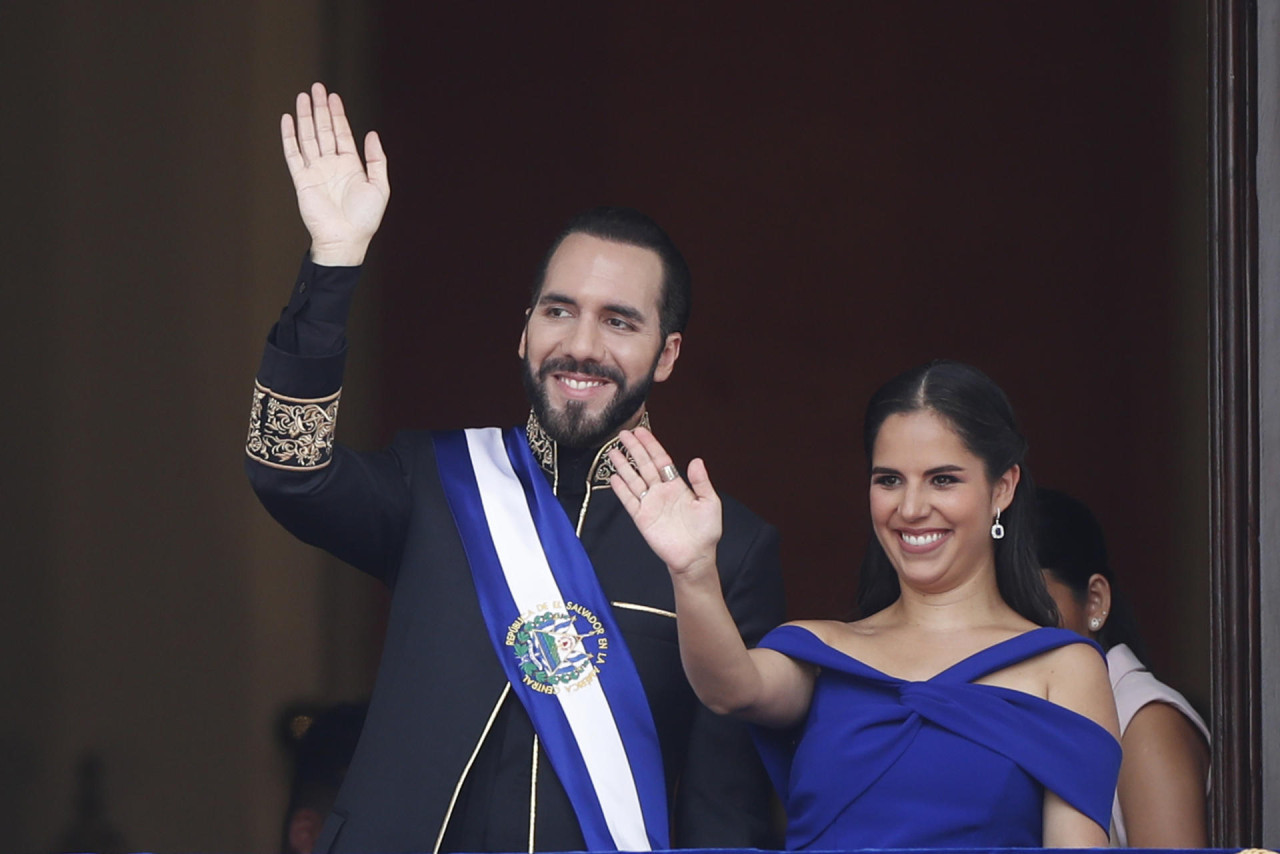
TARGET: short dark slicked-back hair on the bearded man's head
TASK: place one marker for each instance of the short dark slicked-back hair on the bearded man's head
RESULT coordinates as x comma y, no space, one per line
632,227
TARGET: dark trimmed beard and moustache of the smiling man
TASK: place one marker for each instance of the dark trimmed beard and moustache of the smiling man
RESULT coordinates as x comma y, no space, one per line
572,426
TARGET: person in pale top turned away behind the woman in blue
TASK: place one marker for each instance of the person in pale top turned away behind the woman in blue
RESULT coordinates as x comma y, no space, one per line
1164,779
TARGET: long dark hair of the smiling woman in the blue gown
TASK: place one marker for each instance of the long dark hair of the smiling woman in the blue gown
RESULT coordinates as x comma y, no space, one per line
981,415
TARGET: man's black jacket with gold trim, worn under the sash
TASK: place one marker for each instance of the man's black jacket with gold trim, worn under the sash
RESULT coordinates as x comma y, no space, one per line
449,759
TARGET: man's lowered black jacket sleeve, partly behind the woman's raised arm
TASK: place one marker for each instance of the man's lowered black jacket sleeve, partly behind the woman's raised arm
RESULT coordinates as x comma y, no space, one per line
725,797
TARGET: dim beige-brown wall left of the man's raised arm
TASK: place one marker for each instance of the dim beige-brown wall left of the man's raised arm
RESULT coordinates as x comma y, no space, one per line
154,614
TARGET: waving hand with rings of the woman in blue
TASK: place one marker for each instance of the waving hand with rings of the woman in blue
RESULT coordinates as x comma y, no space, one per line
680,522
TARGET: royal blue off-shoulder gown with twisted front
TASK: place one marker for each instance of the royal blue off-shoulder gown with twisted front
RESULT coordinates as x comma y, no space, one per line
883,762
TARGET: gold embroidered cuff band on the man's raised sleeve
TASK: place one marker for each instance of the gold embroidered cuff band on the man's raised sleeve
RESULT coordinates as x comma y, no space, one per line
291,433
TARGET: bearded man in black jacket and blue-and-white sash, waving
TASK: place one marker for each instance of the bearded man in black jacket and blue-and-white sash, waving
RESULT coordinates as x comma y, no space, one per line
531,695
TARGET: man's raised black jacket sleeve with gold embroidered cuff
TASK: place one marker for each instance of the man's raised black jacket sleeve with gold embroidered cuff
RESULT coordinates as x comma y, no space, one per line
353,505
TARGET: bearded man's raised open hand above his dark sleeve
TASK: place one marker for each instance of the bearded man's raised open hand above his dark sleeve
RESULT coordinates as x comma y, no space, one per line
341,199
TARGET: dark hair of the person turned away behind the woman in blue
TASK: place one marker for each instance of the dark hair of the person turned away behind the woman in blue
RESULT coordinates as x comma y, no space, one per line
1072,547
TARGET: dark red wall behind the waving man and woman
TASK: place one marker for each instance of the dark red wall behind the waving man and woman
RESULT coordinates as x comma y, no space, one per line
858,189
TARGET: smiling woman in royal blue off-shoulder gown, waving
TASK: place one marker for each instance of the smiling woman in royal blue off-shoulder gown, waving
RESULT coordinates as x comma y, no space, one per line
953,715
